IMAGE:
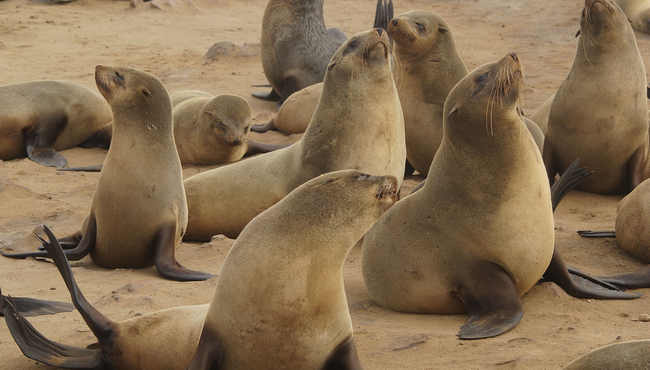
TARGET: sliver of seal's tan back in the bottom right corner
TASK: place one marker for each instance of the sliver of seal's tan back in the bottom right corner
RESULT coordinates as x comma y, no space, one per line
633,355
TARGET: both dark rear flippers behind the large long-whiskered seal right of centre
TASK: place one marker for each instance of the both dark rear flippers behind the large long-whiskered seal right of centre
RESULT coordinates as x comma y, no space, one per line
577,284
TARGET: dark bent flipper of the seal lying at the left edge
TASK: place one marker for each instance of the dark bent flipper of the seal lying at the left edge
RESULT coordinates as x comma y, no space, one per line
40,139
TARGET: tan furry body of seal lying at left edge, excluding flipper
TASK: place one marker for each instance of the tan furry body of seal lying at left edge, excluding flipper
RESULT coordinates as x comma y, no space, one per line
25,103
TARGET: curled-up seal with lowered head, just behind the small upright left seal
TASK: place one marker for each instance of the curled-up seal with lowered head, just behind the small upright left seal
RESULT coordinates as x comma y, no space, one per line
210,129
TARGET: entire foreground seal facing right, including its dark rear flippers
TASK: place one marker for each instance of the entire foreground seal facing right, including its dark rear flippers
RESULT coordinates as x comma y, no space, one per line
320,329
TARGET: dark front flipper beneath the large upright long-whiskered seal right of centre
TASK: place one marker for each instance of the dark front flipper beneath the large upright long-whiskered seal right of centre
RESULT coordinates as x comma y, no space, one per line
492,301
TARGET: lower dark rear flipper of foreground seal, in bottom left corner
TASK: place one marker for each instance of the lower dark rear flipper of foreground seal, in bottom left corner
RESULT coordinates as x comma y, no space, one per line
35,346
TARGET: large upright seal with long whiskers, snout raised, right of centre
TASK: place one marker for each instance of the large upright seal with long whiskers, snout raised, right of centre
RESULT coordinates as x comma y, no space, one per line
457,245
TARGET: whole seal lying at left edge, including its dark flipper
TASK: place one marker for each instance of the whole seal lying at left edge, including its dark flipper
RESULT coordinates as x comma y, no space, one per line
41,117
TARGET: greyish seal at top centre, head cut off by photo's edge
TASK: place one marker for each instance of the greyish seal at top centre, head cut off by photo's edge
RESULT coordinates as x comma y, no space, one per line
296,47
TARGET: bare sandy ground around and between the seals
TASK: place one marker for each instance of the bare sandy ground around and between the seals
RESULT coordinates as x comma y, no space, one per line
66,42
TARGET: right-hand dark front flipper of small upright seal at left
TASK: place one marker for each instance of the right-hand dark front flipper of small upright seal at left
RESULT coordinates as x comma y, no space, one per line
166,264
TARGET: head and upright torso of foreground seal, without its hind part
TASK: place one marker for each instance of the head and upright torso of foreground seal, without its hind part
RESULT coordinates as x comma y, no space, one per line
305,315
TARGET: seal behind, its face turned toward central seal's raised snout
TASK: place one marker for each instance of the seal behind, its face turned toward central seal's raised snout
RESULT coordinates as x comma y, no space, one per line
428,67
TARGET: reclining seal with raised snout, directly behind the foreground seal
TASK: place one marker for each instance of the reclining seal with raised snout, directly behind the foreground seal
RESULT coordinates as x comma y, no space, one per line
358,125
